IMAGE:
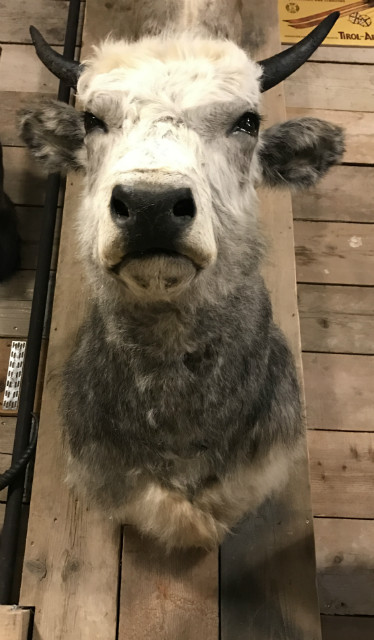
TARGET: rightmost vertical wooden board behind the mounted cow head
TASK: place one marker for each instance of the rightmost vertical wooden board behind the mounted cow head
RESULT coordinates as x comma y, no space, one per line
268,585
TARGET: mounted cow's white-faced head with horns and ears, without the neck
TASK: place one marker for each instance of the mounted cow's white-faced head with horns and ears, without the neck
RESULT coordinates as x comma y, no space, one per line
169,141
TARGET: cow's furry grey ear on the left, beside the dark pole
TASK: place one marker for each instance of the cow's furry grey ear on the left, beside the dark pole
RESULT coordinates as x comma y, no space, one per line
54,133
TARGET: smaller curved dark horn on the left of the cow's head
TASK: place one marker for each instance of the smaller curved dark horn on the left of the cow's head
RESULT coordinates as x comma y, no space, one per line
66,70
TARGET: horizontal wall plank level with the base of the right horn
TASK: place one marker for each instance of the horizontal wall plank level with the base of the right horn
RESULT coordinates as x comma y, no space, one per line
346,87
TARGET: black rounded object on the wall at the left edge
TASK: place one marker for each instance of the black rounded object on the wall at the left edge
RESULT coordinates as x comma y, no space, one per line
9,238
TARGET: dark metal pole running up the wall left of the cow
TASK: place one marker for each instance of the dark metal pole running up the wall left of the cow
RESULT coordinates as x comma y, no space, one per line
10,532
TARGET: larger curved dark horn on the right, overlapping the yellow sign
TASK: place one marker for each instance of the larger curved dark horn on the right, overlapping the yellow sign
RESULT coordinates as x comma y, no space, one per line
280,66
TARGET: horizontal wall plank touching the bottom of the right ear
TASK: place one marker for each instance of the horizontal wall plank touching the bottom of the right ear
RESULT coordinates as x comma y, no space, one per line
346,194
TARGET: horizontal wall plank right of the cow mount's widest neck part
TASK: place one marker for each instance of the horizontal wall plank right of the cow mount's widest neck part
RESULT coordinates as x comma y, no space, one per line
339,391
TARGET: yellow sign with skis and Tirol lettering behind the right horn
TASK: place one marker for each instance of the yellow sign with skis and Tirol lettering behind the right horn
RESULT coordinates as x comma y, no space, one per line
355,27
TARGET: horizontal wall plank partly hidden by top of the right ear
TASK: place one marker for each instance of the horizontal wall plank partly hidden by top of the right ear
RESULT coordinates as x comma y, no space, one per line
358,126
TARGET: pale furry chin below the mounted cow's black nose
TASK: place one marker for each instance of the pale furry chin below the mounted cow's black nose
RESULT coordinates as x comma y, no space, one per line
157,276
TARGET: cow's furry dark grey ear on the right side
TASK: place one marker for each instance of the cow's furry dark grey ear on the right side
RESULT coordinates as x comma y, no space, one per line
297,153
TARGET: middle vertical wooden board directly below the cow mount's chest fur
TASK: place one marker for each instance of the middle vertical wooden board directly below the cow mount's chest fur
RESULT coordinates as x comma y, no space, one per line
167,596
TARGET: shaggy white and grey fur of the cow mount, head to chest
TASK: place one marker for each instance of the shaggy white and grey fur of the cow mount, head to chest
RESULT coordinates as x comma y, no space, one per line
180,401
